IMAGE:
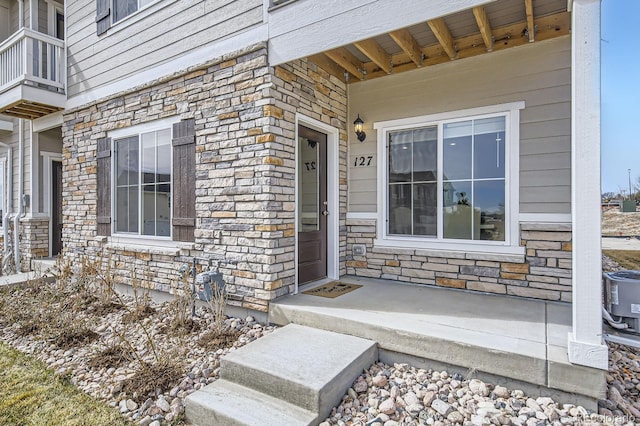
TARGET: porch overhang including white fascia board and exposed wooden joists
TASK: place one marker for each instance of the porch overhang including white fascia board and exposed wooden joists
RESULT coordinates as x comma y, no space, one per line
432,33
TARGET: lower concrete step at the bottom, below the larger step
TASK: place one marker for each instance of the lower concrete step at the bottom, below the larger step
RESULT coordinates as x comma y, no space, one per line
229,404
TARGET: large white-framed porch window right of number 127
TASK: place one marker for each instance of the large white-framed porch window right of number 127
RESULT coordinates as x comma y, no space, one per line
450,178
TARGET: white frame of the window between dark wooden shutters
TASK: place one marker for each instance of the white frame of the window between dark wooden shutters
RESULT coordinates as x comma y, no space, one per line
138,130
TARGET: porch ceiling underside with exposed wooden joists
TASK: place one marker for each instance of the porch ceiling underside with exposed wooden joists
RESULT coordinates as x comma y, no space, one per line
495,26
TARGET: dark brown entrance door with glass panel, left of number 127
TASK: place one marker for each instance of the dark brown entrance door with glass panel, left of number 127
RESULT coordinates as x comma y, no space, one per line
312,205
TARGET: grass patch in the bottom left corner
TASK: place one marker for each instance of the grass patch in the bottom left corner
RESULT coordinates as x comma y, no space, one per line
32,395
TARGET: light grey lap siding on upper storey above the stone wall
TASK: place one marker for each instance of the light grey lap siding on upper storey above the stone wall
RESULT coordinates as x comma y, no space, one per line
182,26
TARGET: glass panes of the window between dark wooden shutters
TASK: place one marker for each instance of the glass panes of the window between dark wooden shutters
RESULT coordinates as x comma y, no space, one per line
143,183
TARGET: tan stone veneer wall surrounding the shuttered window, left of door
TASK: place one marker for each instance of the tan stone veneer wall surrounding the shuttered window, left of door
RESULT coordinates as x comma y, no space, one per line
244,115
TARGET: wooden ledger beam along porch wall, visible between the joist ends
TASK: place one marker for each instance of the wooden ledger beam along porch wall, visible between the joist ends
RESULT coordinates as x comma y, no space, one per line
508,36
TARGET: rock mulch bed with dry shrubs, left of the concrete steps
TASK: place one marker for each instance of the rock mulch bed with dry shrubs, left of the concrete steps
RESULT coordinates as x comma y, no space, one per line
128,353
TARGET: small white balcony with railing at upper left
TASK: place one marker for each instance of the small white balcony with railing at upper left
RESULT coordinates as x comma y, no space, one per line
32,75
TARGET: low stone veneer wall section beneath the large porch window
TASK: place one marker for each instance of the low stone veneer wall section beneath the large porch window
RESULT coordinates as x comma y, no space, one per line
543,273
